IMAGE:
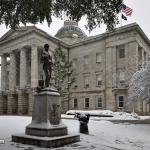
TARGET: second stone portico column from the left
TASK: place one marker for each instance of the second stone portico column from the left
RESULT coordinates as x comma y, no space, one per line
12,72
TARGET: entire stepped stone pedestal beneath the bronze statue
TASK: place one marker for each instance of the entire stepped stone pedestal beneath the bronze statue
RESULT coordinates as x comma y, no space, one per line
46,128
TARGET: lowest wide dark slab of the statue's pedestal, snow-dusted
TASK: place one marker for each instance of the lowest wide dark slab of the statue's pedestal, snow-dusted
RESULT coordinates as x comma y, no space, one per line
47,142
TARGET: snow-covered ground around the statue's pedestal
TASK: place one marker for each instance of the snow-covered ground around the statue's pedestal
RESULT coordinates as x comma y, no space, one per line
104,135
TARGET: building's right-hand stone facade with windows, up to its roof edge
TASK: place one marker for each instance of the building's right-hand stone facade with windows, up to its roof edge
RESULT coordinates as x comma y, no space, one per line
108,62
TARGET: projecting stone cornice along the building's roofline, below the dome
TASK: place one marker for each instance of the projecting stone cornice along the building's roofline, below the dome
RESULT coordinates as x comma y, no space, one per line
126,28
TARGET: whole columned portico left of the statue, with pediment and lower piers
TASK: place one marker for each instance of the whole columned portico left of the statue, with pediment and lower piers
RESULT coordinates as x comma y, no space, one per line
20,69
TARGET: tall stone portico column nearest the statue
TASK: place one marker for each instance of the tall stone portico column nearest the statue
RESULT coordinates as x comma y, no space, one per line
34,66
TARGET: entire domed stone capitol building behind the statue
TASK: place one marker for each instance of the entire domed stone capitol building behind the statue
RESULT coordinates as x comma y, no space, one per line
102,66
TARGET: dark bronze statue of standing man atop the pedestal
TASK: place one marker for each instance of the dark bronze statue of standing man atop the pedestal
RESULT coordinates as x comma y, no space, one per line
47,64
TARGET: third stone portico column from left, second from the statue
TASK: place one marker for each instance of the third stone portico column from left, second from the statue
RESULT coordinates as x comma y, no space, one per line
23,68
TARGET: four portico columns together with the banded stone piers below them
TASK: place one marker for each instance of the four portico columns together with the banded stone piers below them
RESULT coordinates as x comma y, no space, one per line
20,102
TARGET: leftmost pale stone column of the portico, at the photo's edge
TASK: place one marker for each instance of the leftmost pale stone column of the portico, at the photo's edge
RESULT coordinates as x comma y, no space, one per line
3,72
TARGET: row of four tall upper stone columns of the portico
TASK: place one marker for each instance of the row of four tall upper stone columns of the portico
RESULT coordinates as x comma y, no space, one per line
23,69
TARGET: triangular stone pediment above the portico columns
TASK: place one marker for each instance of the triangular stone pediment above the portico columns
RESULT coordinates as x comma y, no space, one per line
13,33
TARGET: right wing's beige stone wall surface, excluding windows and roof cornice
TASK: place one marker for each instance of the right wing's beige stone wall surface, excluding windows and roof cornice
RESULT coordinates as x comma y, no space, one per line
109,68
